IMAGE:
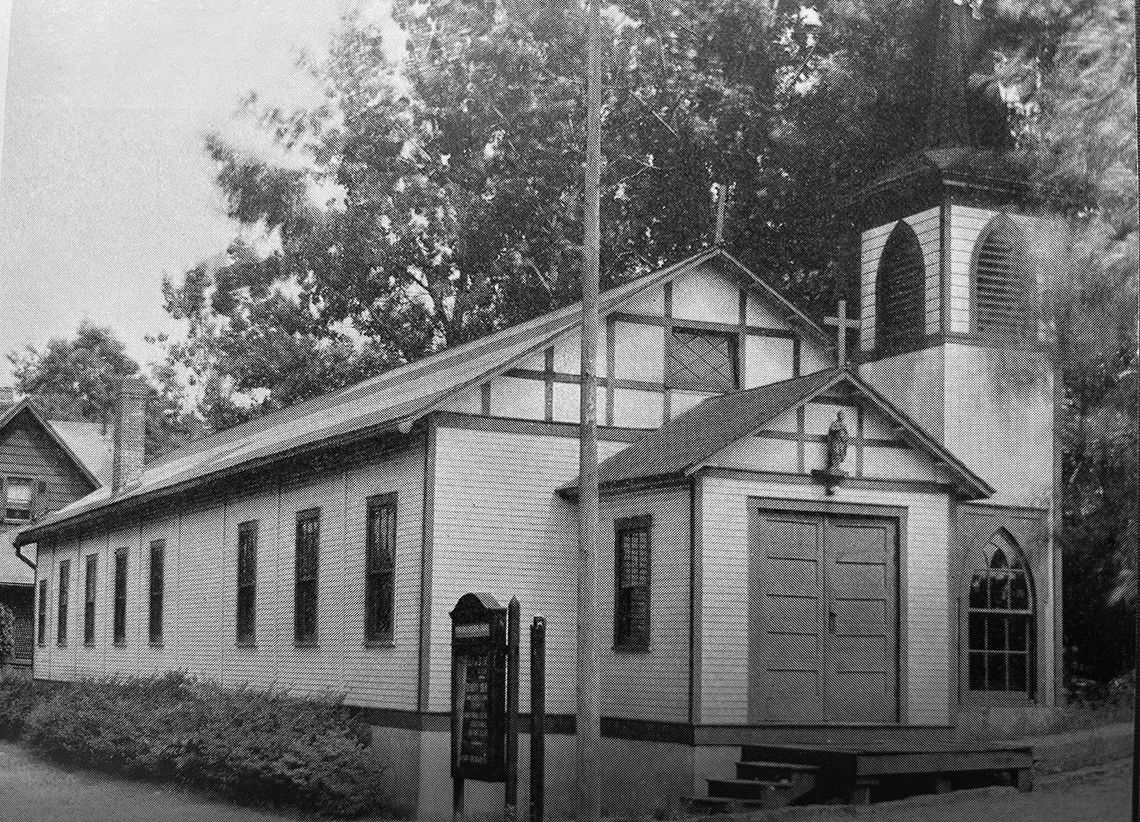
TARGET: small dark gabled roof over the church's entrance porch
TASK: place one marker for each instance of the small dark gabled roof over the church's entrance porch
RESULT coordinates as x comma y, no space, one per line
683,445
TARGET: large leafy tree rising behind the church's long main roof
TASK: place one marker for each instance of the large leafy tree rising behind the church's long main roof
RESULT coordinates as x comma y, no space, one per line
430,201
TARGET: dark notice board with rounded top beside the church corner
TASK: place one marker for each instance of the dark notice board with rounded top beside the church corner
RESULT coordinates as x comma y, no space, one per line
479,689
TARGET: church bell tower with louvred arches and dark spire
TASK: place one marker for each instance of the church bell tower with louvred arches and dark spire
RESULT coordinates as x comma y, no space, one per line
947,298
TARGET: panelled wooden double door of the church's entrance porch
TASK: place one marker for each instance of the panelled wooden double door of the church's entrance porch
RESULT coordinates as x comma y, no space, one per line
824,626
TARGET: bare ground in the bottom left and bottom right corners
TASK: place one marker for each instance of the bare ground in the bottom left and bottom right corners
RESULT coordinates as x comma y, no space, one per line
32,791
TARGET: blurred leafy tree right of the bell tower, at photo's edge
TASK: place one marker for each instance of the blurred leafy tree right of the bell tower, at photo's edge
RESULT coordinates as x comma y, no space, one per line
1073,78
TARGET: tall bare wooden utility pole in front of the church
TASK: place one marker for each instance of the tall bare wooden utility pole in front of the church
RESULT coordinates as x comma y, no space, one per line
589,788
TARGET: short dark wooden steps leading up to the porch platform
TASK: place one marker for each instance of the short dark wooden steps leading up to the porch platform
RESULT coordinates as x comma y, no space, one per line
759,785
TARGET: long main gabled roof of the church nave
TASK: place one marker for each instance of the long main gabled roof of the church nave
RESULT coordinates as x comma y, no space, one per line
394,401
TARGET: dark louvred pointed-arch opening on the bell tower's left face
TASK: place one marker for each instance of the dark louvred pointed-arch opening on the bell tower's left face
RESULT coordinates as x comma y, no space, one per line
901,288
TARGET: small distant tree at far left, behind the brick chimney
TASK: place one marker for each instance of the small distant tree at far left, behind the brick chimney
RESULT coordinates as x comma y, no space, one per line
79,378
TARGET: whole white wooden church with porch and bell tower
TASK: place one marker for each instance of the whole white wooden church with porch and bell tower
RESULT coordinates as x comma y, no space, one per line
773,573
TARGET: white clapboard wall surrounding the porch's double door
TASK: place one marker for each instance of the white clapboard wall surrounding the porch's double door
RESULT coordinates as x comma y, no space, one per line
726,590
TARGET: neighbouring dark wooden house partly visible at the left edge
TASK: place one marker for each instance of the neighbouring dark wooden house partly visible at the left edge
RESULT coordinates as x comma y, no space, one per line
45,466
